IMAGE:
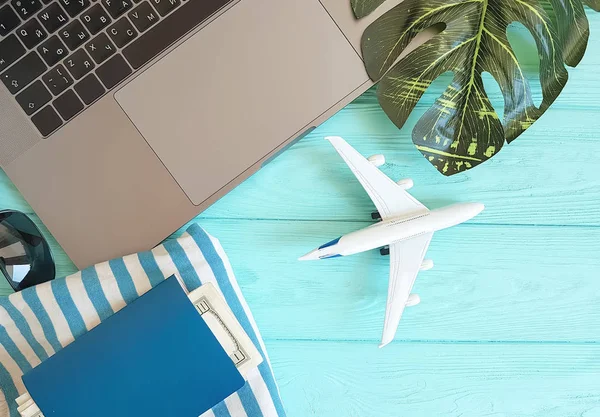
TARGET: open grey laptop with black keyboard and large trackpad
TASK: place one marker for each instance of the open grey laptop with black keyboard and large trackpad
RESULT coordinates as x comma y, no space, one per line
120,120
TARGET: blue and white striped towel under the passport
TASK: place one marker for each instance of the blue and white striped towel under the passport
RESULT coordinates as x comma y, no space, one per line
39,321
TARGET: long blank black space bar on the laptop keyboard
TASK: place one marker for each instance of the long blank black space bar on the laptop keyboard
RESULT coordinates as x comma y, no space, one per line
170,29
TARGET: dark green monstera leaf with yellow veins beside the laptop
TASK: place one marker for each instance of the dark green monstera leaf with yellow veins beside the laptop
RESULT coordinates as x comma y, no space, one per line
462,129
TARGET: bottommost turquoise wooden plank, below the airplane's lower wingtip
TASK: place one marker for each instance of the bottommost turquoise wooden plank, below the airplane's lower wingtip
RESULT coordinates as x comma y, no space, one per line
324,379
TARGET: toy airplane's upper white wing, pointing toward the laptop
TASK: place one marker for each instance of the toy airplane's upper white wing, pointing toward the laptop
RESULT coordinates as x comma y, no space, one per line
390,199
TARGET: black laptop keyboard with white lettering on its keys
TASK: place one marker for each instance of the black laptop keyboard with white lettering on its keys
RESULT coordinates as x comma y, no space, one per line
57,57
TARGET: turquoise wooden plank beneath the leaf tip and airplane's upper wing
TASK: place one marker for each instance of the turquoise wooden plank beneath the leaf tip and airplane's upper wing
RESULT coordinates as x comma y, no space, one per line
545,177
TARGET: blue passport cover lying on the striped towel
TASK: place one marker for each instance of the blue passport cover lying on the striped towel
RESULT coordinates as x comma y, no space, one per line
155,357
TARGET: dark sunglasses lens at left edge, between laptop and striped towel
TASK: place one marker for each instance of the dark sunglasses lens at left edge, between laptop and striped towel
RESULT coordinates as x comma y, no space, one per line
25,257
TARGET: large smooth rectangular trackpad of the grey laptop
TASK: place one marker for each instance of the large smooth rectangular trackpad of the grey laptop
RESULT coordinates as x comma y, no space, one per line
240,87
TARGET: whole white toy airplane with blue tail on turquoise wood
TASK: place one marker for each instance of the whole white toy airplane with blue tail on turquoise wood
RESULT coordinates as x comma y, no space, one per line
406,229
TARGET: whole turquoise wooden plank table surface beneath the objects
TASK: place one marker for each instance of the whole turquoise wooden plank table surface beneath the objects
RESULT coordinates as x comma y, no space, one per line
510,319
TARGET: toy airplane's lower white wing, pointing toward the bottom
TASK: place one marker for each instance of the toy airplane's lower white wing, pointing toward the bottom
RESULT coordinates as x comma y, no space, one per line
405,262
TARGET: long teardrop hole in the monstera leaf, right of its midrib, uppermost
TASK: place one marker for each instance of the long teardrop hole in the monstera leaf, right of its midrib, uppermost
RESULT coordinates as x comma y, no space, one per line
523,44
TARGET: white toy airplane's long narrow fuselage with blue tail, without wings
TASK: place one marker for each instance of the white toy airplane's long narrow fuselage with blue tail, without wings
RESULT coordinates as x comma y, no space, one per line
394,230
